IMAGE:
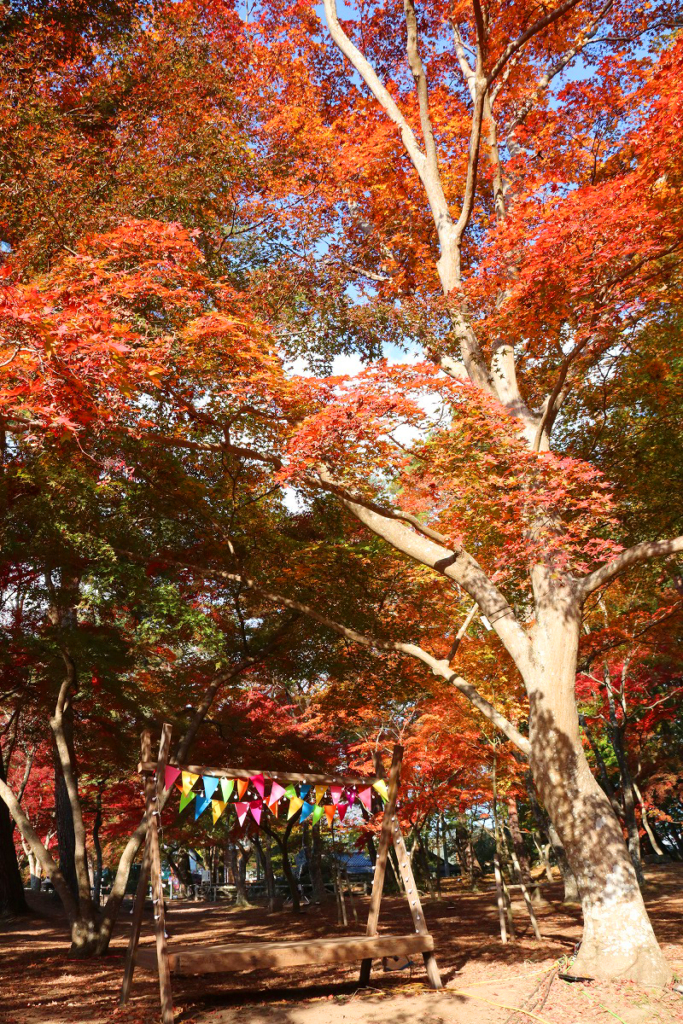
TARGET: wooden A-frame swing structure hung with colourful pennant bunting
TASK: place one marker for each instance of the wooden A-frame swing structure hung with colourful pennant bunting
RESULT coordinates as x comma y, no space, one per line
214,960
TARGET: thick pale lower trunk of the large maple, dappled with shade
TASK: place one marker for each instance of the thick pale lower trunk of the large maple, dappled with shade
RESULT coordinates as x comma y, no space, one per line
619,942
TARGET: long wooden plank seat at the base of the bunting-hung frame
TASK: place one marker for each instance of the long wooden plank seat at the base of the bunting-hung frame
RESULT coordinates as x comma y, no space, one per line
275,956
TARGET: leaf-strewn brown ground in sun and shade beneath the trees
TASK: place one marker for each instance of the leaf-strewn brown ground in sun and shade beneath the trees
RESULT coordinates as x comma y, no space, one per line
486,982
